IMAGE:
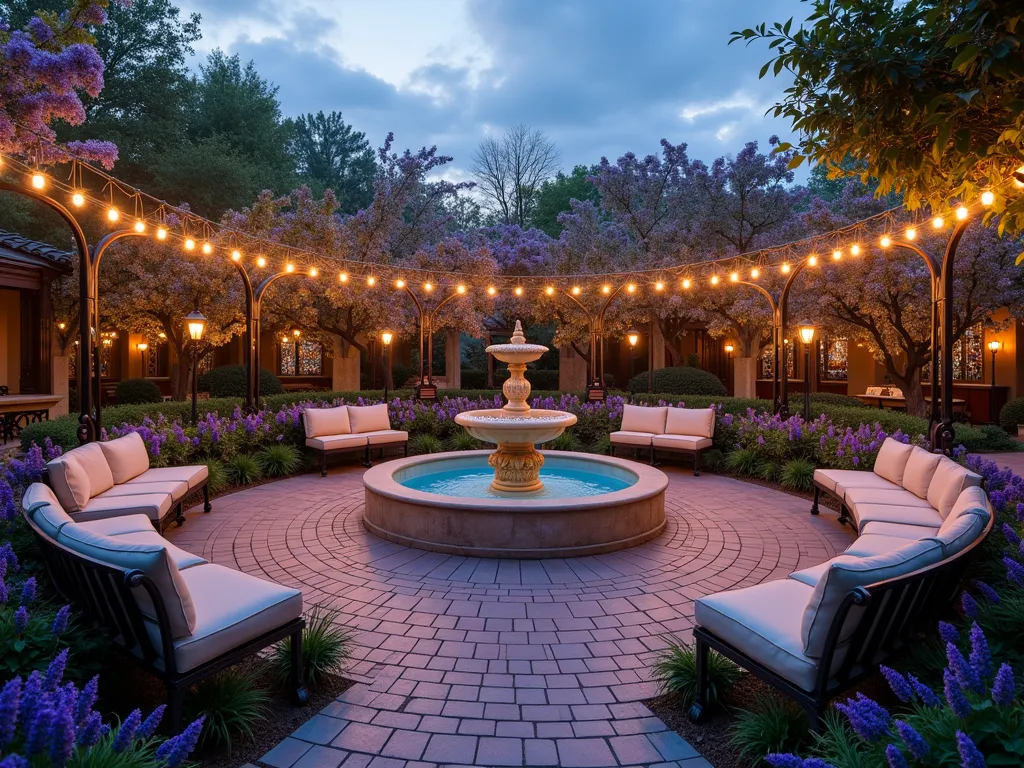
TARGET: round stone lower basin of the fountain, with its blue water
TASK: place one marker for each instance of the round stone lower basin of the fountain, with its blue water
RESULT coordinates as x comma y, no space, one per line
617,504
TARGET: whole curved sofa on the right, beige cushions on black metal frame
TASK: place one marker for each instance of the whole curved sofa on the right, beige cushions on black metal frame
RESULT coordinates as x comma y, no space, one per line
821,630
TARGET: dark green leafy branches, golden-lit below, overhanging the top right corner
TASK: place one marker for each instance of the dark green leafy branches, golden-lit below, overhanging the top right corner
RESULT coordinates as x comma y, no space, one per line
928,97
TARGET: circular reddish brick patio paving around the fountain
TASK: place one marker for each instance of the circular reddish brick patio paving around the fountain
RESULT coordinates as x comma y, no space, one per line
467,661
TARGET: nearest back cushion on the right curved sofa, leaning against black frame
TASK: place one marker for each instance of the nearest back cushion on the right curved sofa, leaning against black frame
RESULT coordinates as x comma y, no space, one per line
847,573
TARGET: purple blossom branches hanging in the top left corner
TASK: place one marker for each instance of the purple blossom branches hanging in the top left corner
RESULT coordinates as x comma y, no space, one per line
45,71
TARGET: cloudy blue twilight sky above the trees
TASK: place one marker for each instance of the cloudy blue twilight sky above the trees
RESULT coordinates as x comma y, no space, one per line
600,77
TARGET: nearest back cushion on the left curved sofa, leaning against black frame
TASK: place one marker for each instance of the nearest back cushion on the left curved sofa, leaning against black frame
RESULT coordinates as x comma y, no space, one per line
153,560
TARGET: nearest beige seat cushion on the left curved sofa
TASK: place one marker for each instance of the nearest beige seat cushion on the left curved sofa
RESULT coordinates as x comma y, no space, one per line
231,609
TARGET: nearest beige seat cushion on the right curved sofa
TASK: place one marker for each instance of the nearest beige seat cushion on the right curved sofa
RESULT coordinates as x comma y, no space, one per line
763,622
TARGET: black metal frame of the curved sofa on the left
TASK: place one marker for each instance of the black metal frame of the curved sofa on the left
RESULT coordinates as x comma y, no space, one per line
105,595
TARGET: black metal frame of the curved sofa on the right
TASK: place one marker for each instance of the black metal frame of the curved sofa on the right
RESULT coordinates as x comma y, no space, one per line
893,612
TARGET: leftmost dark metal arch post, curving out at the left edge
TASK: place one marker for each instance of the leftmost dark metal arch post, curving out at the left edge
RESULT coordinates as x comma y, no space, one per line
89,416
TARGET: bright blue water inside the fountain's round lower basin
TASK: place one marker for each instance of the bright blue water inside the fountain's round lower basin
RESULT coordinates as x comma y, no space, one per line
471,478
